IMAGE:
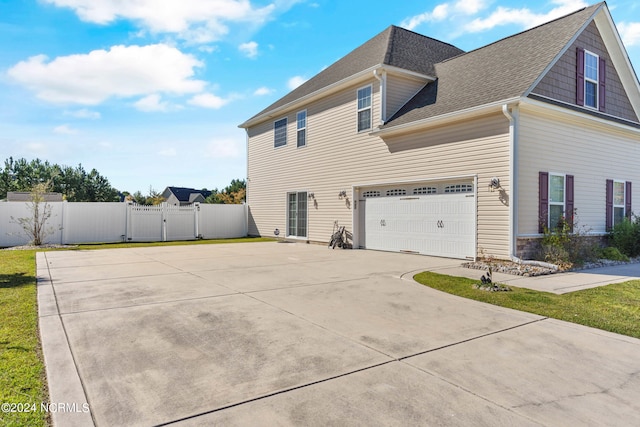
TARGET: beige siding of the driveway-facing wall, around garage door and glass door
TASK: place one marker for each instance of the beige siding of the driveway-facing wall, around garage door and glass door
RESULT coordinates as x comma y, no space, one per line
337,157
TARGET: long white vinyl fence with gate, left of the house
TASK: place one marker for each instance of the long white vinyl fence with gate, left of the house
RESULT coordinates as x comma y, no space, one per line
77,222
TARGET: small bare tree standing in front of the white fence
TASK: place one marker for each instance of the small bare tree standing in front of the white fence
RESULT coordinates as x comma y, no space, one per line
35,226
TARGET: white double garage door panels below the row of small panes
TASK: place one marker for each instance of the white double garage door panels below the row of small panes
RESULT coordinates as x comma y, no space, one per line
435,224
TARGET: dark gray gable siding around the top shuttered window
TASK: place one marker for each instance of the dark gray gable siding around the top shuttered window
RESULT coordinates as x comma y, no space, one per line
560,82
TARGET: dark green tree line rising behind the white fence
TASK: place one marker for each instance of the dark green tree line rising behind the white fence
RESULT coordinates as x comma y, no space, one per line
78,185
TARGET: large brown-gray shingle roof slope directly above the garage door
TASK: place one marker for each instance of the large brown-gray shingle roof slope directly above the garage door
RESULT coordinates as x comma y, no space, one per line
502,70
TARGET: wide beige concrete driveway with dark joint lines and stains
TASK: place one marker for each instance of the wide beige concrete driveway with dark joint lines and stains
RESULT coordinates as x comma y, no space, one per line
294,334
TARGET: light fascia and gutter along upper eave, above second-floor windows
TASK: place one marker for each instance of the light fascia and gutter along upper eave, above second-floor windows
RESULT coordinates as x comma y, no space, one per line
332,88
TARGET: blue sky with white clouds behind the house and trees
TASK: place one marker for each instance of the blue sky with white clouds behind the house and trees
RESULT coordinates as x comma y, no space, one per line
150,92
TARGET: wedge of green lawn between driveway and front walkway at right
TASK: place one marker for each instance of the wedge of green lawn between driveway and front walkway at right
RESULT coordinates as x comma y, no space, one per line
614,308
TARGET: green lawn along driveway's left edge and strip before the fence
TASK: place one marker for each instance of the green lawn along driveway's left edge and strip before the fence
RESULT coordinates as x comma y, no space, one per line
22,374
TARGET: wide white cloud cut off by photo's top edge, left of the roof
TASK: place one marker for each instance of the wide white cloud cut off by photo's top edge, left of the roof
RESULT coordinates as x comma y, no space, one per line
199,21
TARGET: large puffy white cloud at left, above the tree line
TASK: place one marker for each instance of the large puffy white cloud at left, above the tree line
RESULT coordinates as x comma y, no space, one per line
122,71
